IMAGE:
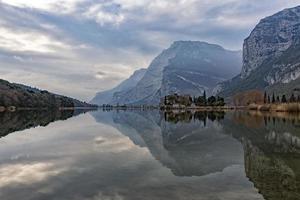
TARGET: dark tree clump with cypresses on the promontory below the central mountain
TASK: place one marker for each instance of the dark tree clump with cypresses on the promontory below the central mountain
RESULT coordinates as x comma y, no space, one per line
186,100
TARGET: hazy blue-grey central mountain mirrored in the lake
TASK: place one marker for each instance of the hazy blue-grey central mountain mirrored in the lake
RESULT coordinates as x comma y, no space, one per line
187,148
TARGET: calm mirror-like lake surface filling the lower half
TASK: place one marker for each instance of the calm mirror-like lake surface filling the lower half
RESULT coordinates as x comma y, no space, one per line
135,155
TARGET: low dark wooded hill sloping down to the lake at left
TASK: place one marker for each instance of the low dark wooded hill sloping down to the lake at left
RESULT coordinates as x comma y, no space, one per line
21,96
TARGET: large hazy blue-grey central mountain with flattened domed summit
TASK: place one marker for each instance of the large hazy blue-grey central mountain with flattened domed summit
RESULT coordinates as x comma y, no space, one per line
186,67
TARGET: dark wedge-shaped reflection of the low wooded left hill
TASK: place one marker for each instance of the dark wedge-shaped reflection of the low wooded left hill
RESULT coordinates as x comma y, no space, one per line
21,120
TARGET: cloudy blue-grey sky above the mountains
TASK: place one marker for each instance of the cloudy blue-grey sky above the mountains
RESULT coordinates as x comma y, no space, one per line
80,47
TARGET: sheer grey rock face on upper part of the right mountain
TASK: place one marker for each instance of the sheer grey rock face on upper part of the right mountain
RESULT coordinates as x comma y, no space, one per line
270,39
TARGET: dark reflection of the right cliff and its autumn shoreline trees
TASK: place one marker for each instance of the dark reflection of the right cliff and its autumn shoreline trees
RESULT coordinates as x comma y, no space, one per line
272,147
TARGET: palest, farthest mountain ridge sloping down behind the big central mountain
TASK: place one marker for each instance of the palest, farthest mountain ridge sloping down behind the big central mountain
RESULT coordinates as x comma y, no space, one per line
107,97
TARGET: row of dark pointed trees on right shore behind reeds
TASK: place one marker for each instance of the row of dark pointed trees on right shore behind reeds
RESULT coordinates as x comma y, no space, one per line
273,99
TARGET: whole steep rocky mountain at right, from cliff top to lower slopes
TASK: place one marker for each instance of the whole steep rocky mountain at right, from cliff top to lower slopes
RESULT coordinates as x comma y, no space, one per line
271,56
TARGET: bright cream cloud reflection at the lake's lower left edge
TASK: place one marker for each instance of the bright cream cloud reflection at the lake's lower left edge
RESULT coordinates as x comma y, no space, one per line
26,173
